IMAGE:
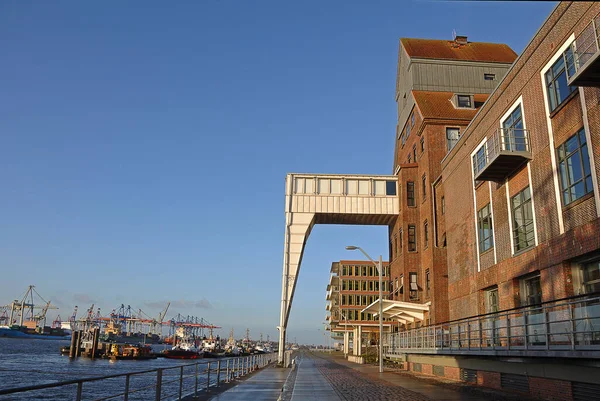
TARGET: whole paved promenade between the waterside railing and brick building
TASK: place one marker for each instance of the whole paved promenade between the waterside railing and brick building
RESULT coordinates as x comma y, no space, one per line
323,377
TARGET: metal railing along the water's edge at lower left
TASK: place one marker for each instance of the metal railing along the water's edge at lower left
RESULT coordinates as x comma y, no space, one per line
169,383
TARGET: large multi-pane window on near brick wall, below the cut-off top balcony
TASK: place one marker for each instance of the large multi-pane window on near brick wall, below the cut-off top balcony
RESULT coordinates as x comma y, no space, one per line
574,168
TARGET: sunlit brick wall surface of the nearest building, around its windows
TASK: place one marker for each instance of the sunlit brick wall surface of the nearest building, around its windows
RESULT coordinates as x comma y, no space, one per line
468,272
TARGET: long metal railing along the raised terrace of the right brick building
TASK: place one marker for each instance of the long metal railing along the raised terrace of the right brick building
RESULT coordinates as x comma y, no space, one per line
570,325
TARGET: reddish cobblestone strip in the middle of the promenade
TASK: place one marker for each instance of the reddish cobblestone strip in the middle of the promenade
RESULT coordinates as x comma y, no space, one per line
352,385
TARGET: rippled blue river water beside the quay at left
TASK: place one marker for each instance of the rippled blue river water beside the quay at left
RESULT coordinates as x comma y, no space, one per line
25,362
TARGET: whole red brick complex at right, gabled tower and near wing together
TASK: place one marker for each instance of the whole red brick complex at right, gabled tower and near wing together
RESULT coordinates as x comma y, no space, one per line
506,214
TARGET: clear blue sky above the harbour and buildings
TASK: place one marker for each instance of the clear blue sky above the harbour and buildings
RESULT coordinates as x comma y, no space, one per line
144,145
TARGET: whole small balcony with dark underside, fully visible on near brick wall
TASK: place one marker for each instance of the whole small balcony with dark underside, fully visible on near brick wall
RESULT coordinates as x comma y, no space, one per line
502,155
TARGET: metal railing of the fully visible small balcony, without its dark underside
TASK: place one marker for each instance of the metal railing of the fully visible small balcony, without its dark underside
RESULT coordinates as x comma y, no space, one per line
503,140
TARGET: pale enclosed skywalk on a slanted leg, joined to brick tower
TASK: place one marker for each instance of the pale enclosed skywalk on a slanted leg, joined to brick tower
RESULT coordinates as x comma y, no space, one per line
328,199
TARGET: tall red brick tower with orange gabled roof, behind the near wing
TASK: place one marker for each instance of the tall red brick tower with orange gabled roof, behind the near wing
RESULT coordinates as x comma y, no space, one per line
441,84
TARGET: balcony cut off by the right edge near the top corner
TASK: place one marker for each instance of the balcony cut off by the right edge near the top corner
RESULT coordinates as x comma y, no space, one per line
586,52
